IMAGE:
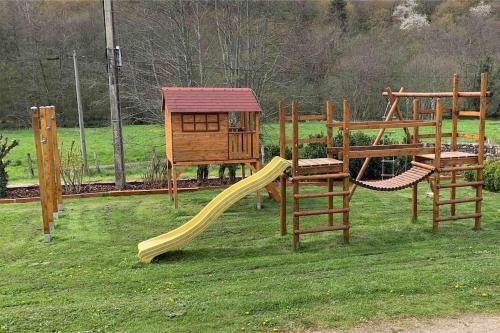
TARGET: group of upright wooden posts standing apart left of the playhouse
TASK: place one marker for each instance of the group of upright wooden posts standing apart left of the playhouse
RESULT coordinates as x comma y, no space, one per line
49,166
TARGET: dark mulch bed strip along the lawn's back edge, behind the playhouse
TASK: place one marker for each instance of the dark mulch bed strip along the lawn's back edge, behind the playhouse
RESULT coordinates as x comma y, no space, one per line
98,187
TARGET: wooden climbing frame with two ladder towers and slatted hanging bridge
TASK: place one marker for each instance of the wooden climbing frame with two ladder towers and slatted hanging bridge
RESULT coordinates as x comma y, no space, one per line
427,161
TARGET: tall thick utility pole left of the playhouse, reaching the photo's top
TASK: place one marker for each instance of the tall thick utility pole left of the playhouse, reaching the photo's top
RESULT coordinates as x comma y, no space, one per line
116,123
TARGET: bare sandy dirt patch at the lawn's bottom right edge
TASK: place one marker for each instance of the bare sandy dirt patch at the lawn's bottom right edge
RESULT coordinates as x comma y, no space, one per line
465,323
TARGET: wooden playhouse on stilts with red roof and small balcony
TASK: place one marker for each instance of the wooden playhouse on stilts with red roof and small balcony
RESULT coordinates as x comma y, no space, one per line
211,126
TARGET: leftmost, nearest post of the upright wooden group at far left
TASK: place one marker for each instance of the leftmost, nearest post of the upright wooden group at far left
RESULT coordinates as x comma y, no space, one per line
35,117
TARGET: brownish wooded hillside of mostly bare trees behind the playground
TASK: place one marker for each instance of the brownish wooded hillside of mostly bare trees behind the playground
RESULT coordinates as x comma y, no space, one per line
310,50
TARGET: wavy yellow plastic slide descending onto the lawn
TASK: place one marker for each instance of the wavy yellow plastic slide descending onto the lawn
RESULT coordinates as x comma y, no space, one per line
177,237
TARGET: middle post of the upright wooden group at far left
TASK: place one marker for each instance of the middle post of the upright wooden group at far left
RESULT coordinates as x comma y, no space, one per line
48,164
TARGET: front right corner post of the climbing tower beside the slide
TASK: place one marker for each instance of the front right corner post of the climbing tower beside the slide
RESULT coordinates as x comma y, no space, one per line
345,168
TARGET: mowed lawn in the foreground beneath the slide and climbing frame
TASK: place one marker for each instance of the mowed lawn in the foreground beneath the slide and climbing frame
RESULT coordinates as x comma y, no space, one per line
240,274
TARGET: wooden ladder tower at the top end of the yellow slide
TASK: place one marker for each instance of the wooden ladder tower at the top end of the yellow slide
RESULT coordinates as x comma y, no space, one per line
305,171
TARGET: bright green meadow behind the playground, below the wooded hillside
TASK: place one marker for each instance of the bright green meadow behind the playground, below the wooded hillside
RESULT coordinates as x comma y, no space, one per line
139,140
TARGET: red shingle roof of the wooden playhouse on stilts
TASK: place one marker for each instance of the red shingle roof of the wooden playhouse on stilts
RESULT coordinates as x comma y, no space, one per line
180,99
